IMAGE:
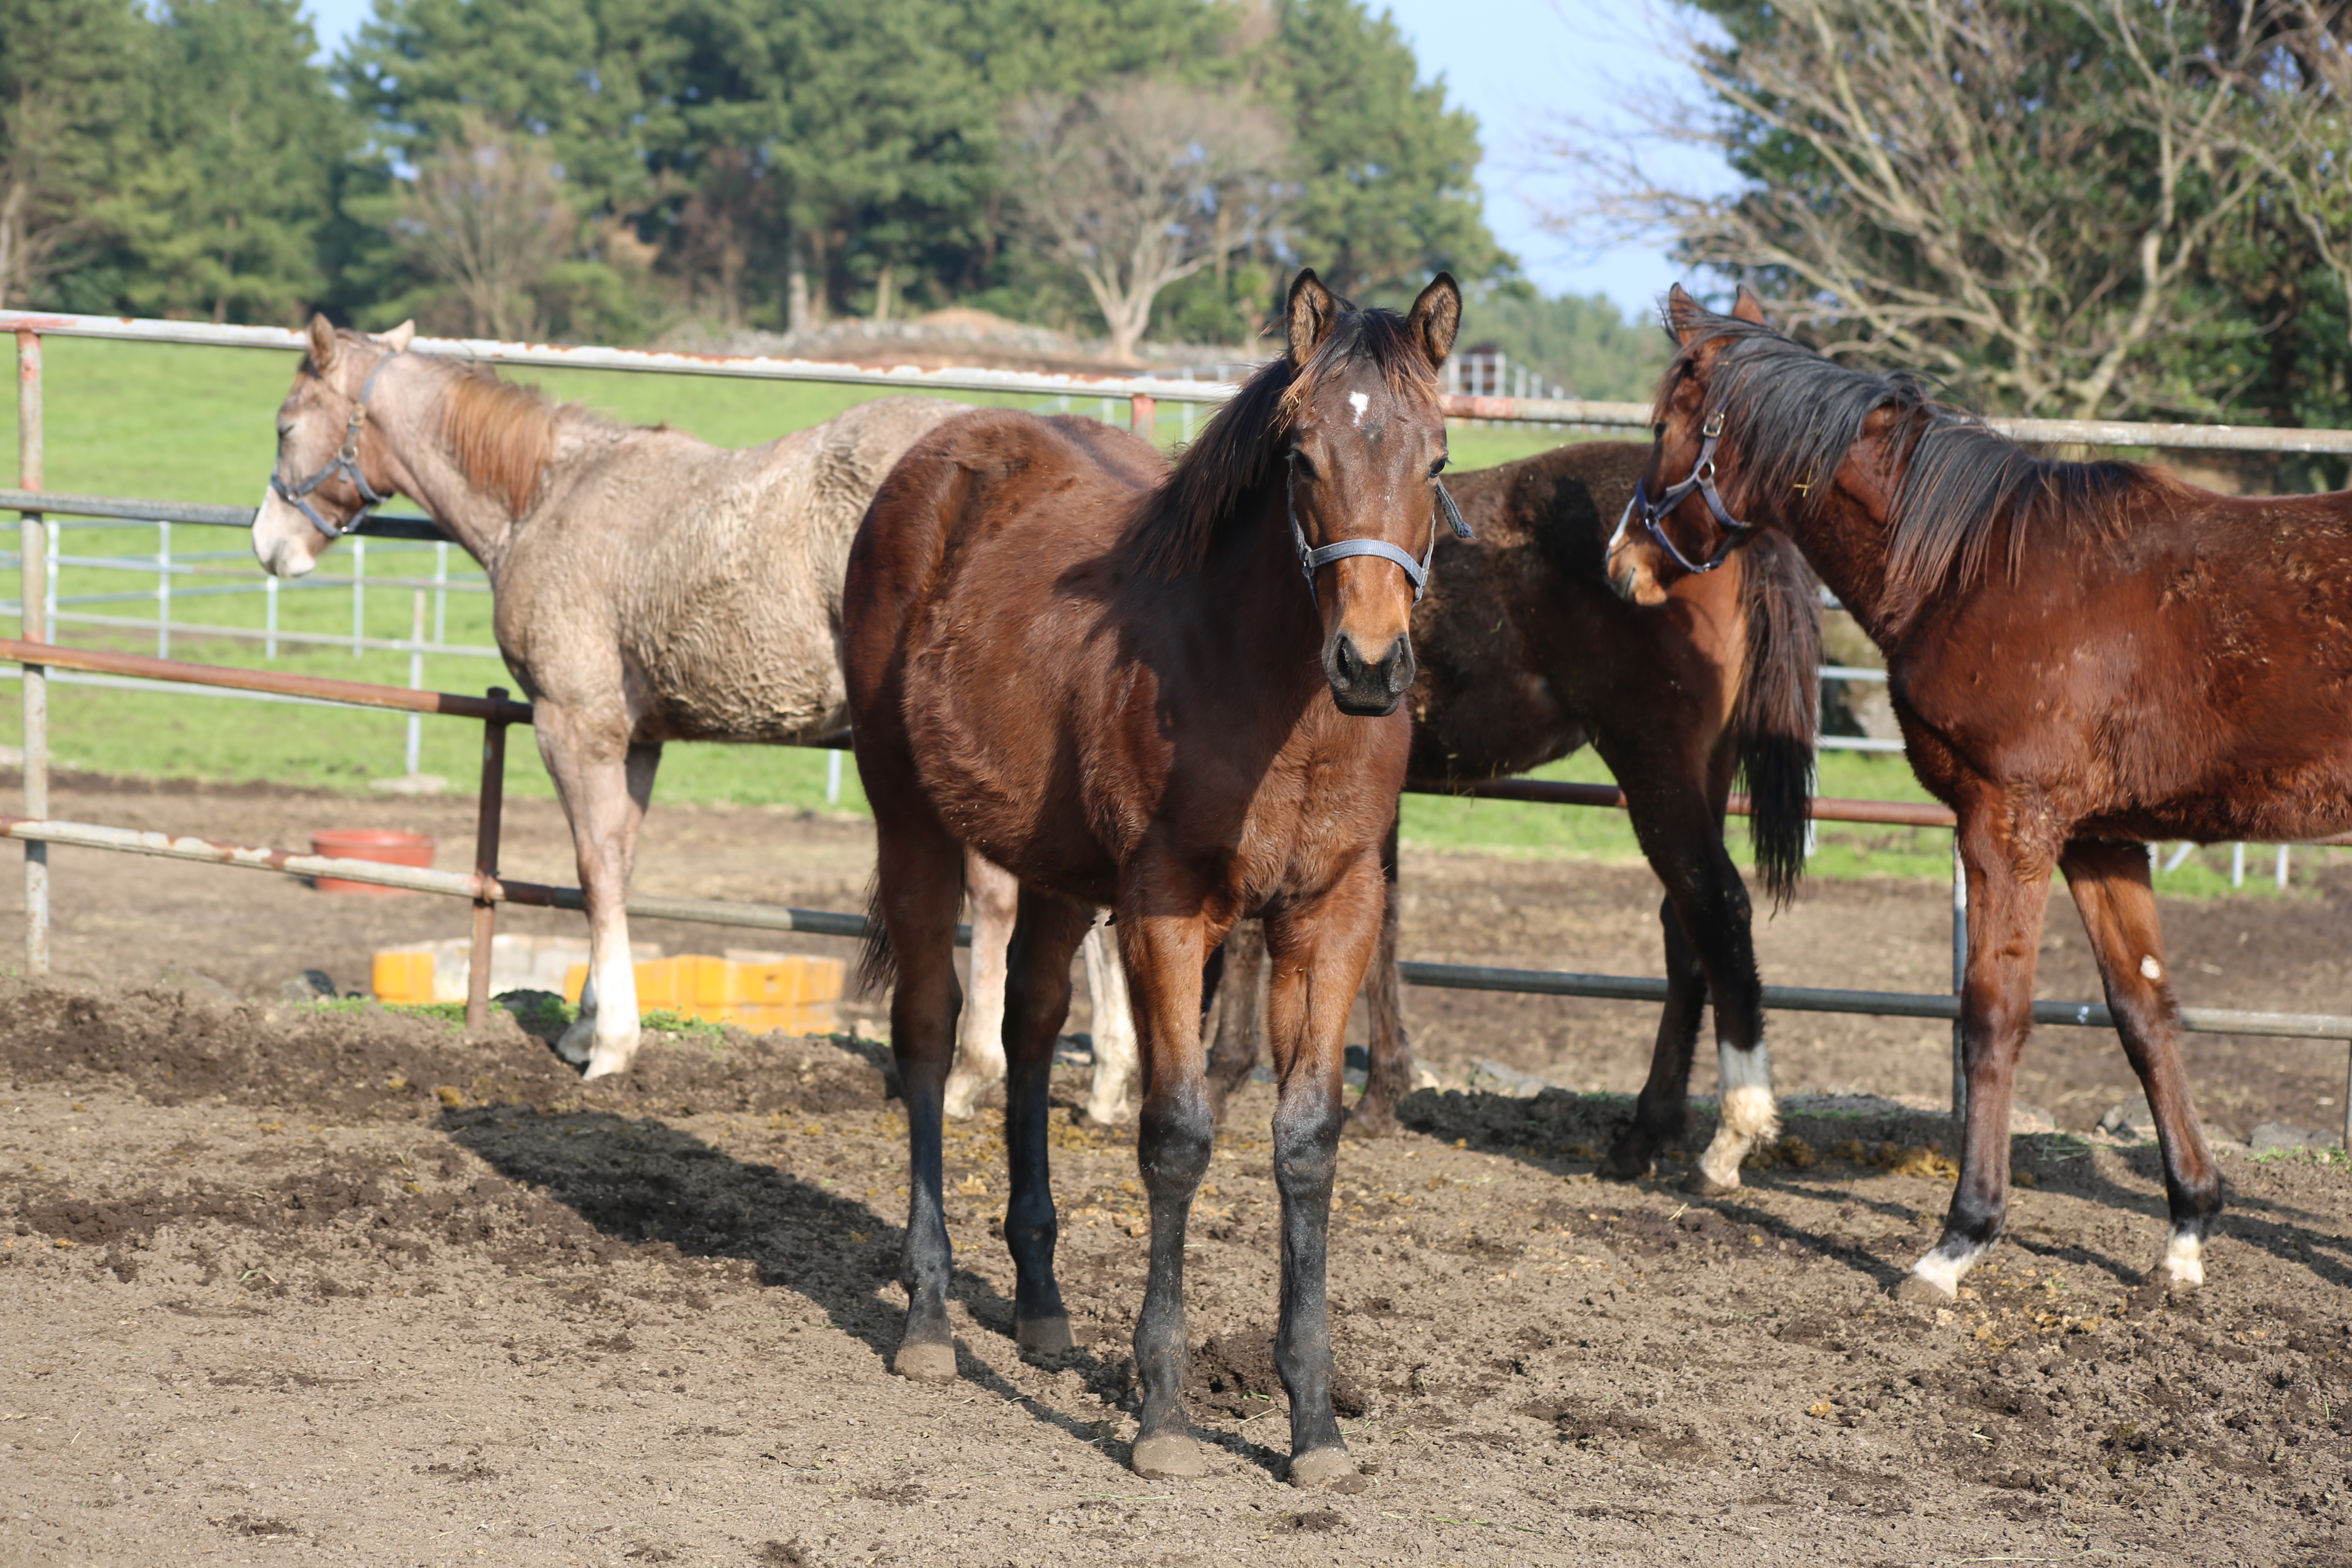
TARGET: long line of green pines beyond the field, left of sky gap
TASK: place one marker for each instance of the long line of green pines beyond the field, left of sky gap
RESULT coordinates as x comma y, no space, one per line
596,168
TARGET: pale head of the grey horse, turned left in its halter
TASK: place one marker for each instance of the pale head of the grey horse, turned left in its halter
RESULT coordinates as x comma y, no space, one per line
330,462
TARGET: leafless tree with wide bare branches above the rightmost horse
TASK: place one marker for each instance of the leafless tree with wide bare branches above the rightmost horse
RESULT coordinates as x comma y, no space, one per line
2017,199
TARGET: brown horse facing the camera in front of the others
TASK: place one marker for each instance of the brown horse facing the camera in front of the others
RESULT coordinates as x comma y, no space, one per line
1111,681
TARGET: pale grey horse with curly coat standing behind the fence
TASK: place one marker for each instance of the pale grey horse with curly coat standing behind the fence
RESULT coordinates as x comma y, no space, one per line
648,589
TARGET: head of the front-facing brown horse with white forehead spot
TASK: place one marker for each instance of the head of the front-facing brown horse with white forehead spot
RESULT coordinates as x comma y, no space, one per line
1368,441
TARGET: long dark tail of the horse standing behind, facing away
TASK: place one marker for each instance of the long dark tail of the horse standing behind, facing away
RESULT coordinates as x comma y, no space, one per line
1777,721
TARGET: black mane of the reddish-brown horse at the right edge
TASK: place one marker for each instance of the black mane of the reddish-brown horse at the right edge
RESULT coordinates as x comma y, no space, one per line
1796,415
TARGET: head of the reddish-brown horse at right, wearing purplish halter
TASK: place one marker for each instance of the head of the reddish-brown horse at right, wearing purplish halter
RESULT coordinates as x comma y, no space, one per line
1685,525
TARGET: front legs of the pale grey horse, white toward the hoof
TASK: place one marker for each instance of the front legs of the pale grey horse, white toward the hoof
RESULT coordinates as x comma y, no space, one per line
603,791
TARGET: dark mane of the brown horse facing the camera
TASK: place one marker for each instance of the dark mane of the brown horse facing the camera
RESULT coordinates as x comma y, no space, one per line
1177,523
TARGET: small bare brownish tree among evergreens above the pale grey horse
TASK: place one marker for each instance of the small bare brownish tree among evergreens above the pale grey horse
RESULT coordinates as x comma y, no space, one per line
488,217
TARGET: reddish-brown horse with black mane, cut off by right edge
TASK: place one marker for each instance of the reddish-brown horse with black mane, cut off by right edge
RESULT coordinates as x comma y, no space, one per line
2085,657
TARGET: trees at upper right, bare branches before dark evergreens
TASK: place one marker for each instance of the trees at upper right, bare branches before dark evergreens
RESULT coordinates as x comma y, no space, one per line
2054,208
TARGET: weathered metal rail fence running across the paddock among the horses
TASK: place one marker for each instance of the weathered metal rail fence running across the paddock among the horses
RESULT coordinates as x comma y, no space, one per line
483,887
